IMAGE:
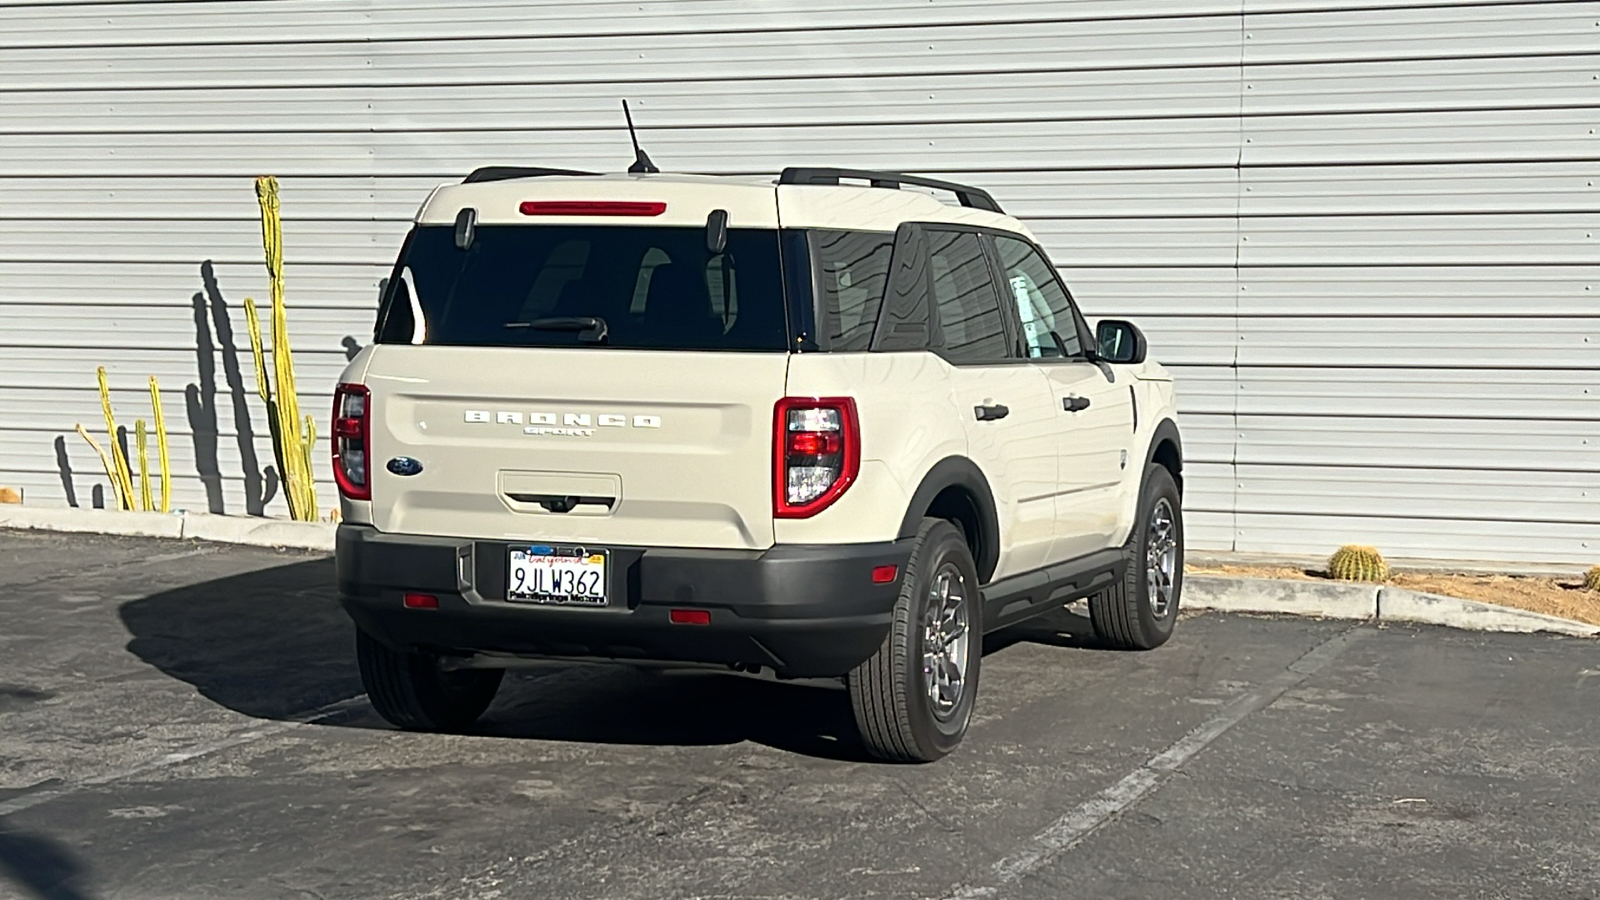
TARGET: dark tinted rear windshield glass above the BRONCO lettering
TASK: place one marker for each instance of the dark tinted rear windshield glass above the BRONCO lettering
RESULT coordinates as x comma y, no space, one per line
588,286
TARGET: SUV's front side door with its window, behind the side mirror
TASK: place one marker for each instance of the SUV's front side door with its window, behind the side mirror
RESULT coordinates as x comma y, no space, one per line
1092,408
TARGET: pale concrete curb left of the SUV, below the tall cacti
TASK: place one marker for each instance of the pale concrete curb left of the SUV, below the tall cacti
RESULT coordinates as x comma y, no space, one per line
196,526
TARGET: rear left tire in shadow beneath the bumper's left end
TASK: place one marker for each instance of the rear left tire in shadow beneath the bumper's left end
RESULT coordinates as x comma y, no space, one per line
414,693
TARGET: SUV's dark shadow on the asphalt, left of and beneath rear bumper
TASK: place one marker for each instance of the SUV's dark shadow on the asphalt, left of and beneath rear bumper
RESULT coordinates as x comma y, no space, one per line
274,645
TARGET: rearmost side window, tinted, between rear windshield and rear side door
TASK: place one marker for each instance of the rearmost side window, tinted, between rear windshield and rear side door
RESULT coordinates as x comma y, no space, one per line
854,271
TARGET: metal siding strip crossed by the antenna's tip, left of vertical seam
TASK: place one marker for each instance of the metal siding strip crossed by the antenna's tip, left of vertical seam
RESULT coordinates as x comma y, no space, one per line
924,97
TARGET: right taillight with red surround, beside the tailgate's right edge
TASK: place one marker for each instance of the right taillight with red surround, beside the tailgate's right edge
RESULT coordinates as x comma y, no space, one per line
817,454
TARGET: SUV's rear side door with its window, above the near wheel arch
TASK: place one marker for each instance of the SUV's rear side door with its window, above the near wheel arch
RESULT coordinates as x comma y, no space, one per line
1002,400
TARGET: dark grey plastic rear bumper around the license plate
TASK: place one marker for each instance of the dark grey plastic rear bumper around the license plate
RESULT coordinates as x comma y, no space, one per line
802,611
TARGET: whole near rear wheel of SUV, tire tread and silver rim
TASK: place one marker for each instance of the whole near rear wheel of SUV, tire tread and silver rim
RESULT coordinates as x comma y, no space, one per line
894,694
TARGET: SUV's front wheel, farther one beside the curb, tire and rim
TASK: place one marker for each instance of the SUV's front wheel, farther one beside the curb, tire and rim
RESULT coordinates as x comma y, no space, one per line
1138,613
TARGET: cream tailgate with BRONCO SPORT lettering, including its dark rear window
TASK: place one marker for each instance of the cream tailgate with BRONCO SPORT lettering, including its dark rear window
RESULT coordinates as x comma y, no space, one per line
586,384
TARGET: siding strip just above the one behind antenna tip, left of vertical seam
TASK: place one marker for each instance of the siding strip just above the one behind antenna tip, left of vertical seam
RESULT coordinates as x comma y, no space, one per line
639,58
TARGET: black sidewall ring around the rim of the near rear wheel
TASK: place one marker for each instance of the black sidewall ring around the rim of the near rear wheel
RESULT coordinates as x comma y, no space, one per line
942,544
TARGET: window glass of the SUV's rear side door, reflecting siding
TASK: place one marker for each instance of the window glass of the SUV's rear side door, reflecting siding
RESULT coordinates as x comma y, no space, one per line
964,299
